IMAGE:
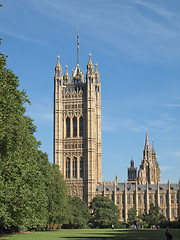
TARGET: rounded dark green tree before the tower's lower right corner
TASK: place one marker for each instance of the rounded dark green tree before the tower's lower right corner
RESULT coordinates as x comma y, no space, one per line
104,212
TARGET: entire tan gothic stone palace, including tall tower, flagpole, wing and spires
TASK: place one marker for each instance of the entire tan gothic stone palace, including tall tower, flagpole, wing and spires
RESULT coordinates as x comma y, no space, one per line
77,149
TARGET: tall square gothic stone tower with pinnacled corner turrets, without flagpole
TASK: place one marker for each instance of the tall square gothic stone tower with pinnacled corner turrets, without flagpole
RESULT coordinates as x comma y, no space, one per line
77,129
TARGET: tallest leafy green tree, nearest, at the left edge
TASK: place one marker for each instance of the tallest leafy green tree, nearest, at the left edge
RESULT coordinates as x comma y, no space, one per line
23,194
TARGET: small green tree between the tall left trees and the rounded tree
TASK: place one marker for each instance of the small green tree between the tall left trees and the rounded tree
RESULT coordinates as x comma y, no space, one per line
78,215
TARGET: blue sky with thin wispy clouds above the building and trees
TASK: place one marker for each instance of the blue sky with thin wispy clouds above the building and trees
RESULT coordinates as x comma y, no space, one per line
136,44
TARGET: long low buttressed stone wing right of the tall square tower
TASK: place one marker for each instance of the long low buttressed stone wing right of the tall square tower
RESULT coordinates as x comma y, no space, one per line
126,195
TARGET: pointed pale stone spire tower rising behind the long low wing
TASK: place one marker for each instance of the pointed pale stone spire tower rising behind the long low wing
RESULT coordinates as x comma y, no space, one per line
149,170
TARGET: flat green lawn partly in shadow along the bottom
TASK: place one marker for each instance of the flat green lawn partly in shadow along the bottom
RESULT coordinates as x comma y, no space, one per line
97,234
